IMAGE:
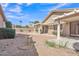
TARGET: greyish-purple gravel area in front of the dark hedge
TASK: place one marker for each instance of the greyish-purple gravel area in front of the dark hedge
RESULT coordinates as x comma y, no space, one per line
17,47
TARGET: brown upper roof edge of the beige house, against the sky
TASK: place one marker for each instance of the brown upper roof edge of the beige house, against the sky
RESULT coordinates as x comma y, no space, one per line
59,11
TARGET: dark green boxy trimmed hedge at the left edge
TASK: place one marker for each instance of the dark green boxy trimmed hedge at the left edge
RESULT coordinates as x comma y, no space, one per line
6,33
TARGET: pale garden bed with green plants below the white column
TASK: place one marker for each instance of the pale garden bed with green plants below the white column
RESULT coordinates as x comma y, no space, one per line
64,43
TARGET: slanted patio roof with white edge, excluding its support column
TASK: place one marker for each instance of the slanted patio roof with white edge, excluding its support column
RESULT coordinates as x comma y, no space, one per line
71,16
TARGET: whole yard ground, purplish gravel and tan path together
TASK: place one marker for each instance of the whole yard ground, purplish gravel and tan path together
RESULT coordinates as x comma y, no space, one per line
19,47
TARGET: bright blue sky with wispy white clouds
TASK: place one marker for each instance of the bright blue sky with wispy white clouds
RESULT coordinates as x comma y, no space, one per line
27,12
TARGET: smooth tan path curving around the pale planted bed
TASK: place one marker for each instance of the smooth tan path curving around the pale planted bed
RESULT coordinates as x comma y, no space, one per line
43,50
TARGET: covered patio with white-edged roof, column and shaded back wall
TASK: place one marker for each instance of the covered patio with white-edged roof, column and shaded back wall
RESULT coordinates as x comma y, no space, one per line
70,26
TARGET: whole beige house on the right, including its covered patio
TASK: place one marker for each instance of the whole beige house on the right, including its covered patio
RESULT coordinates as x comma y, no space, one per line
63,22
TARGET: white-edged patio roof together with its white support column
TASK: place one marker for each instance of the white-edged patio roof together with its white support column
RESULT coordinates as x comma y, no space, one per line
63,17
